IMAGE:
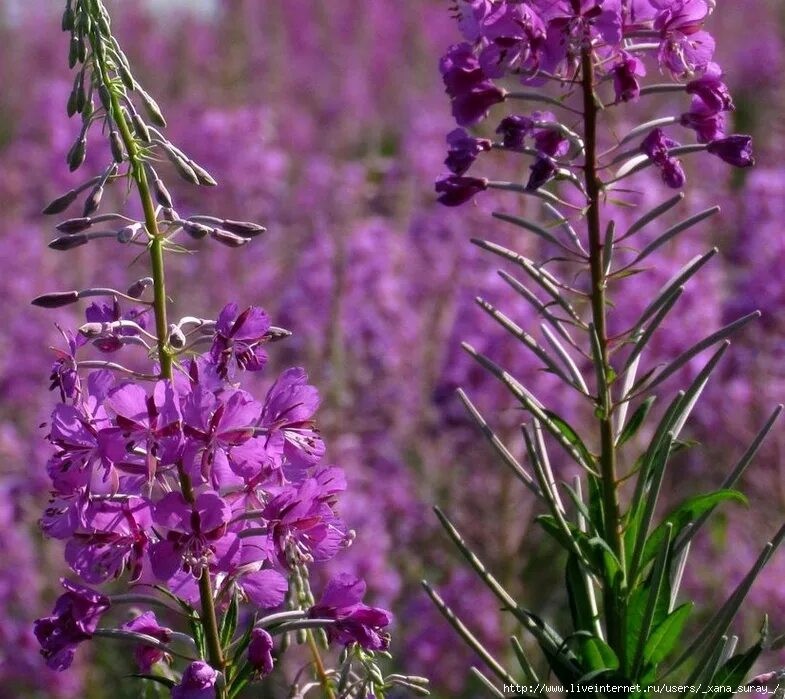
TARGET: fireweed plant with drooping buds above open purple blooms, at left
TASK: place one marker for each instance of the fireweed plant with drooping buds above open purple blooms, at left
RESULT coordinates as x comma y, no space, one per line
169,480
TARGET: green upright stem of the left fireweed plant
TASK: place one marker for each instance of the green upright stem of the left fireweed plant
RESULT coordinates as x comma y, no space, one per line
156,248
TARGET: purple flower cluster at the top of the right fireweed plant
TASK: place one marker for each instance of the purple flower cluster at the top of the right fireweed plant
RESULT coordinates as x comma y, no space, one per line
538,43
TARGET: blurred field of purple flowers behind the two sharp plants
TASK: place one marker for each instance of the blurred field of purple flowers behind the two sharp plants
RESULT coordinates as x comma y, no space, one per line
326,122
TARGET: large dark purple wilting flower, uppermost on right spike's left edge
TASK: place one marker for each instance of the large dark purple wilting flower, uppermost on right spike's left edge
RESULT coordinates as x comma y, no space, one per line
472,93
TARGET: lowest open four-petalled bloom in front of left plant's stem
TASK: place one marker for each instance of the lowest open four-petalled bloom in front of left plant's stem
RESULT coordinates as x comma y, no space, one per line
196,537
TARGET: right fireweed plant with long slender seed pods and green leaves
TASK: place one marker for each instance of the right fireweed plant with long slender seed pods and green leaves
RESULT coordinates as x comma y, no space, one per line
624,562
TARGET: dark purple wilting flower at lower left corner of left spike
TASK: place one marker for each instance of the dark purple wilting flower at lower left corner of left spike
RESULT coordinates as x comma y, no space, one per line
75,619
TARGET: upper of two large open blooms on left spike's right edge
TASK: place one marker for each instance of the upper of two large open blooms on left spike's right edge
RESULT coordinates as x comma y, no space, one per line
287,416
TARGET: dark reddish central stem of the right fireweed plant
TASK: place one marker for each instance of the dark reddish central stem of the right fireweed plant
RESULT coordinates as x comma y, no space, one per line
610,494
